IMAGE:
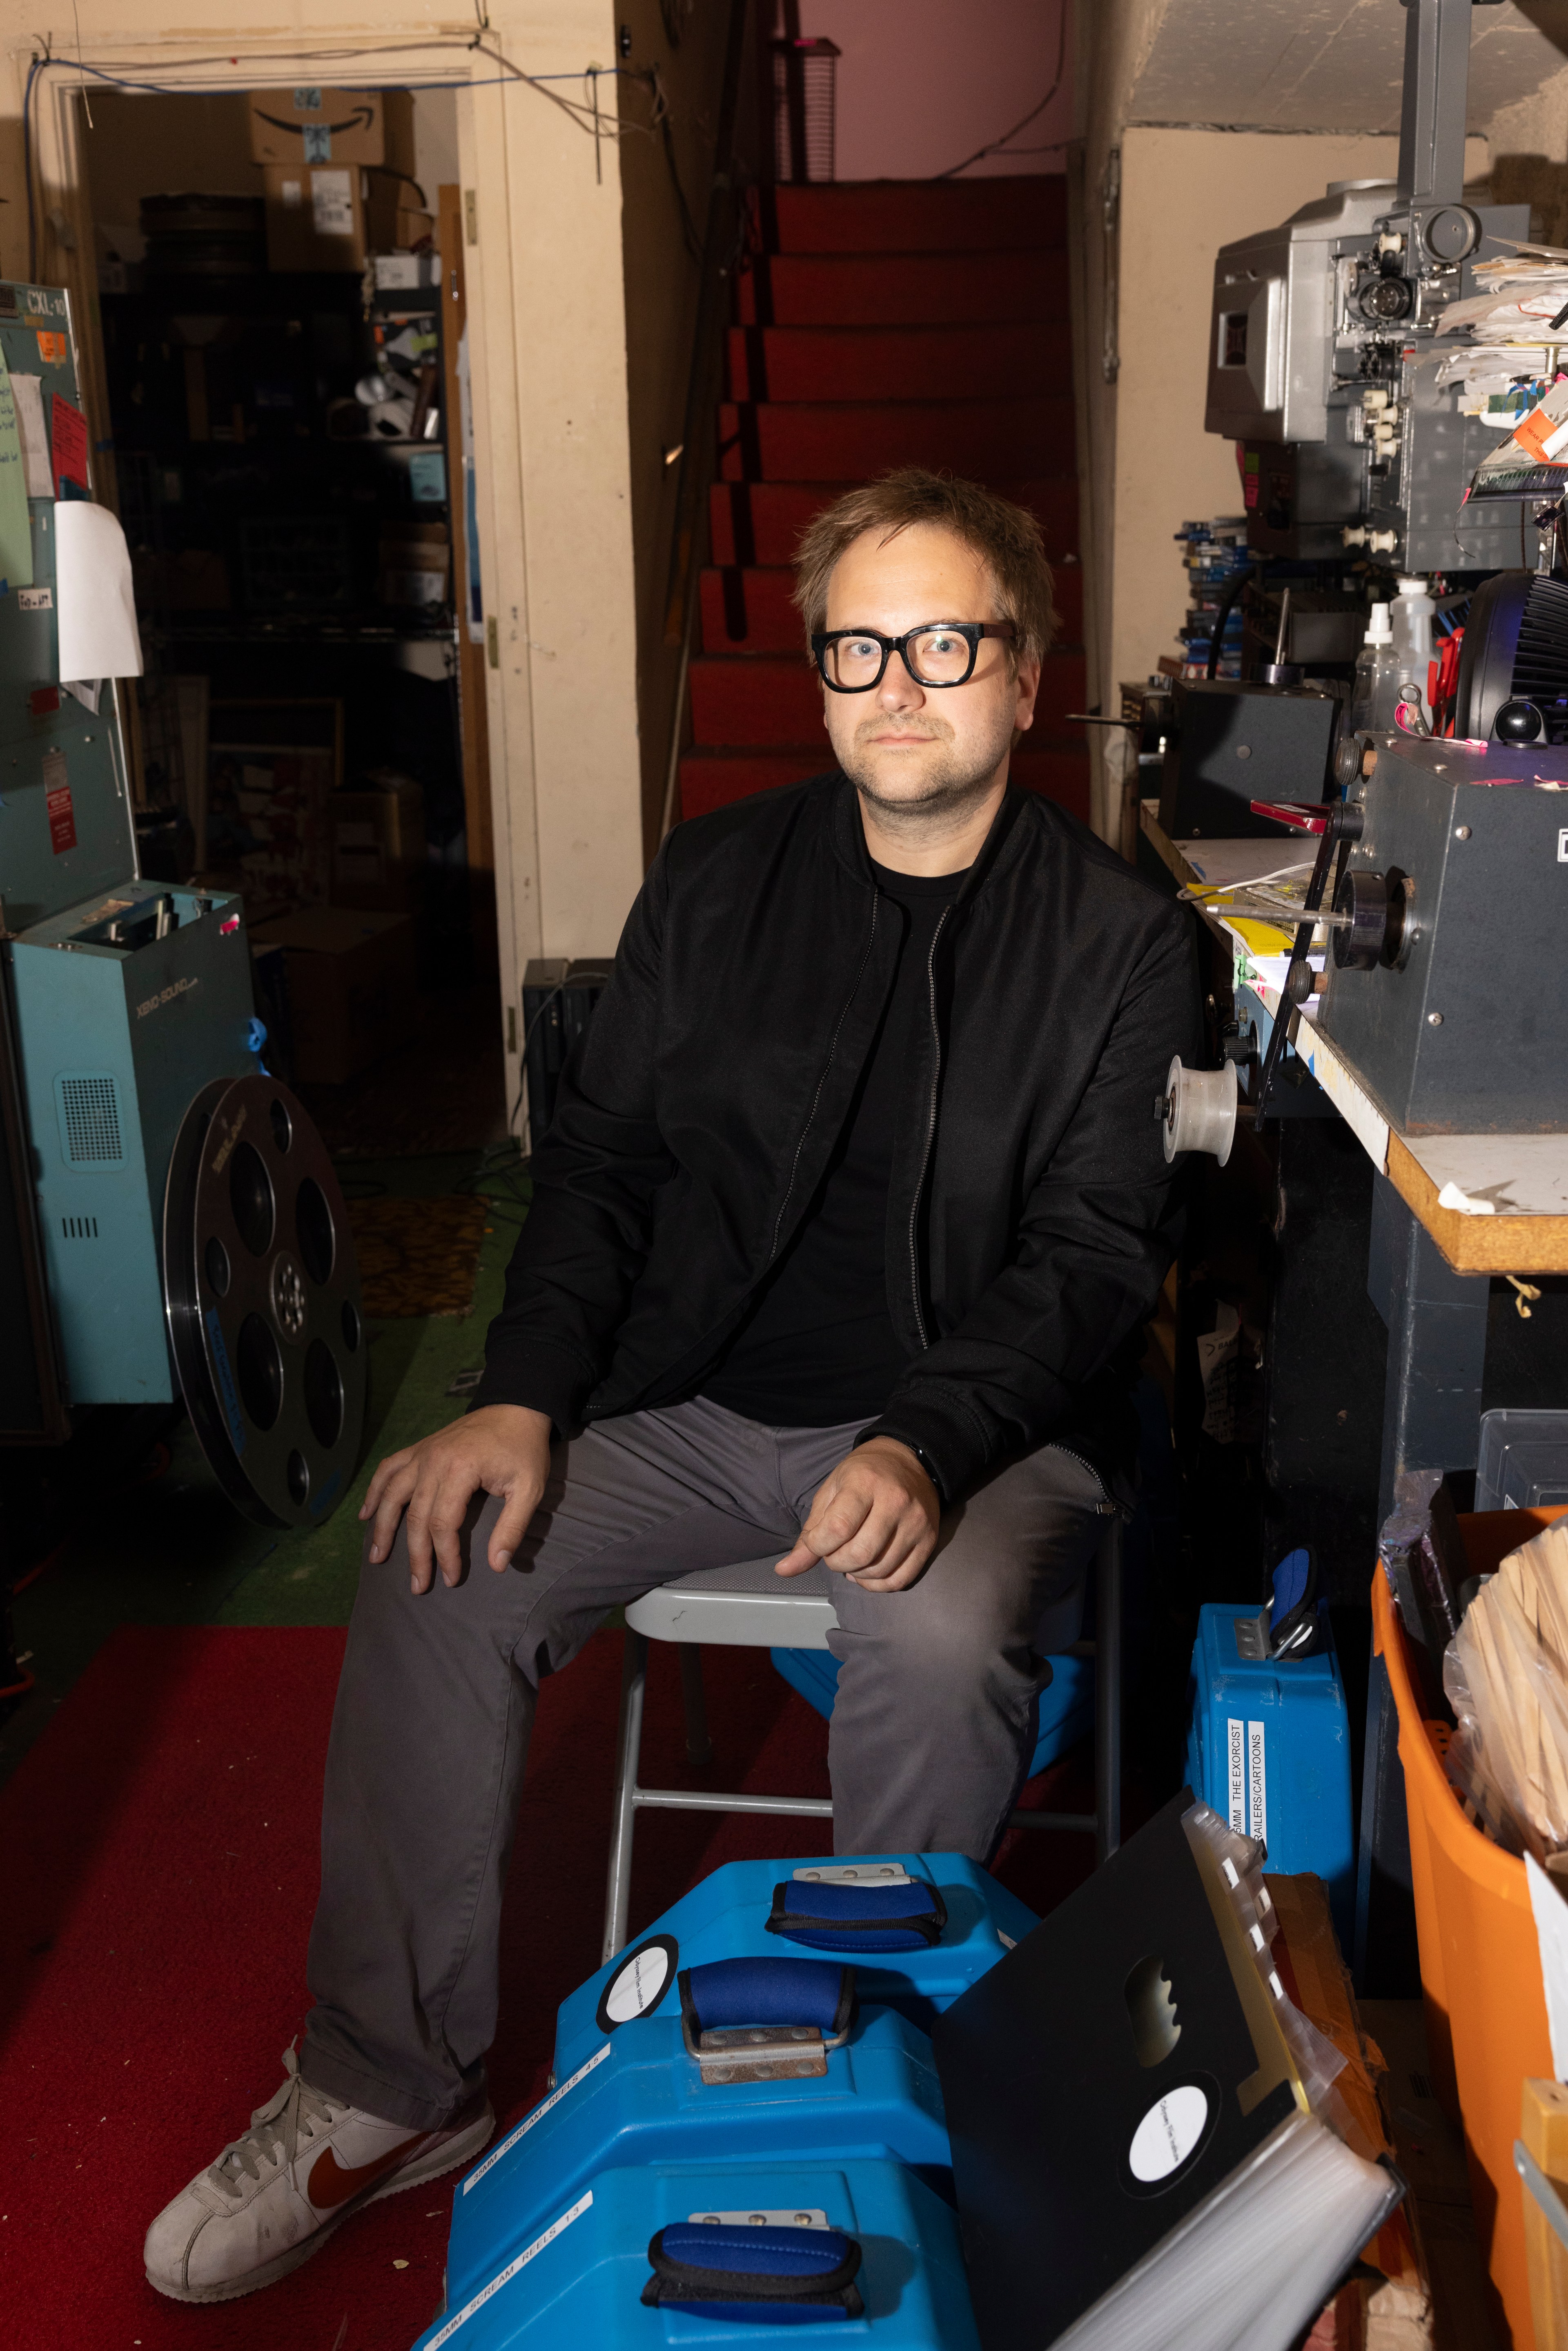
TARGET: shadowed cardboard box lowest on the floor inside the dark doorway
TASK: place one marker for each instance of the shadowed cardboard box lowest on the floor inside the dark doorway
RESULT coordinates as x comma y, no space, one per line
351,989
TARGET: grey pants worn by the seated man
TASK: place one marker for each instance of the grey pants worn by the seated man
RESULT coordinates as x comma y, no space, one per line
932,1729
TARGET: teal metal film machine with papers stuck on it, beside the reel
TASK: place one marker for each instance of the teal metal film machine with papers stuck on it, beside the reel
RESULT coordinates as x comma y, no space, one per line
126,996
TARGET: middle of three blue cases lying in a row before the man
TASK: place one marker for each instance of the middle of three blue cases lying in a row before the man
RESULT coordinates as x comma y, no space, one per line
643,2098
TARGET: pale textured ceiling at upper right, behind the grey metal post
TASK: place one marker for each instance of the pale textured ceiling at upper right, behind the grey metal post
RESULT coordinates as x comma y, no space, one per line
1329,65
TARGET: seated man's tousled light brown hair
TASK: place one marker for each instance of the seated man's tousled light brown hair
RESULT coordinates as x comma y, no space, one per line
1003,535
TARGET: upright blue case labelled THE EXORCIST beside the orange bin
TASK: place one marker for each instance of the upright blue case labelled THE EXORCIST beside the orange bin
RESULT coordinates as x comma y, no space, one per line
1271,1750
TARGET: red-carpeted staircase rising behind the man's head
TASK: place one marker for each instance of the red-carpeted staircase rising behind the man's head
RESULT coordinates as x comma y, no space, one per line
894,323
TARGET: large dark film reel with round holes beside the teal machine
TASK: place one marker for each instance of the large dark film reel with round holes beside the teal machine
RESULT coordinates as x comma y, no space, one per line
262,1297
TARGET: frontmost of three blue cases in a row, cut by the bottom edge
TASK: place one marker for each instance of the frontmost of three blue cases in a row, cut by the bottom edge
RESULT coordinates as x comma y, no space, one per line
577,2284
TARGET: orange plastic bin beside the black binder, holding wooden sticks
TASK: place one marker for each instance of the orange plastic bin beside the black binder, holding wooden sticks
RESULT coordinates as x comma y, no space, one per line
1480,1964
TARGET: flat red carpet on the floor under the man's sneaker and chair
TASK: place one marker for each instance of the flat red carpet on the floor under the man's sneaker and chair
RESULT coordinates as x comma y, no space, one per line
161,1868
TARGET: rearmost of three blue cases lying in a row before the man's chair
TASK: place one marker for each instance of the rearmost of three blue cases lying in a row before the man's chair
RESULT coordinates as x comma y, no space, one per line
728,1917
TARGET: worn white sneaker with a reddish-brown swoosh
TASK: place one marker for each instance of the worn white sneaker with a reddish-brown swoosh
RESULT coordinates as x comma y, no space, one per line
274,2197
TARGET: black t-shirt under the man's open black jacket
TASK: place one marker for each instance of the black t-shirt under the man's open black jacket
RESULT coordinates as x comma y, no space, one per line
819,1344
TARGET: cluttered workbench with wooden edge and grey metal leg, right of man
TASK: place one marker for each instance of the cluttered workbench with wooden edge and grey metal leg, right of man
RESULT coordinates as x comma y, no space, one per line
1449,1217
